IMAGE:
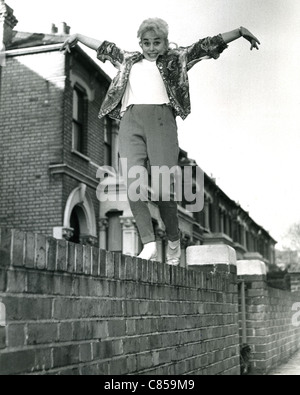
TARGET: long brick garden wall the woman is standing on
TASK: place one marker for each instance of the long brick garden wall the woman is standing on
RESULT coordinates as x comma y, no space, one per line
72,309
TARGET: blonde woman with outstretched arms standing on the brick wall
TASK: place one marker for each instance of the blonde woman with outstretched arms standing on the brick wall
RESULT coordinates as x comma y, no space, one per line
149,91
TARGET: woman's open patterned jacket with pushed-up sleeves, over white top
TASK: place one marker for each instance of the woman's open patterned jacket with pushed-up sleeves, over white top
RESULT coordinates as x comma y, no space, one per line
173,66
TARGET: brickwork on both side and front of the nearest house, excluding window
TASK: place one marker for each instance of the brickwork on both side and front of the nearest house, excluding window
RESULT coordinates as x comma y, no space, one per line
36,132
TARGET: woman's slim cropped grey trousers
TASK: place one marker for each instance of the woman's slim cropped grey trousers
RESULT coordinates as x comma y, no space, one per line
148,139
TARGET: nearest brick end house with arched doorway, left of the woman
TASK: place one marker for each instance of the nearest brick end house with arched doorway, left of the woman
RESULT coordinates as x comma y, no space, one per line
52,140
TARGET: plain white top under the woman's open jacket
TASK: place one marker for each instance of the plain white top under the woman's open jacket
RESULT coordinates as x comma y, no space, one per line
145,86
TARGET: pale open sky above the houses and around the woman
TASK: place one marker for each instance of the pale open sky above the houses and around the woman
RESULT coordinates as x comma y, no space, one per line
244,125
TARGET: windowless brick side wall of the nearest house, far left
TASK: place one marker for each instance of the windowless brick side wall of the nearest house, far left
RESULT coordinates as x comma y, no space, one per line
31,106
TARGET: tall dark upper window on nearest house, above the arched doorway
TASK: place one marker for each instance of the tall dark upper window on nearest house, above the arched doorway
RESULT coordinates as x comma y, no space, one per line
79,120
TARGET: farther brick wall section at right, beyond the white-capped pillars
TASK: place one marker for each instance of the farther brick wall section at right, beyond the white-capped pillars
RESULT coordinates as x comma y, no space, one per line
271,330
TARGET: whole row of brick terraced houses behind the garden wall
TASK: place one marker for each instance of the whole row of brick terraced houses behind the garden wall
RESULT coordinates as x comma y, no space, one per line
53,143
